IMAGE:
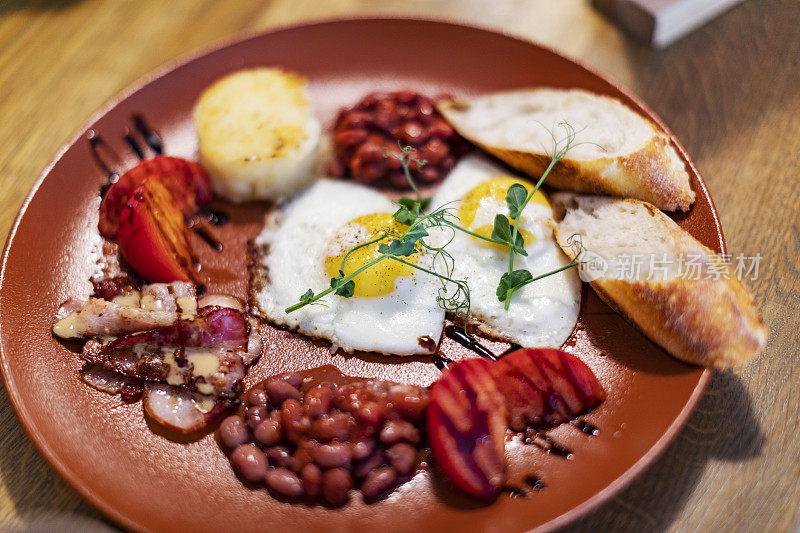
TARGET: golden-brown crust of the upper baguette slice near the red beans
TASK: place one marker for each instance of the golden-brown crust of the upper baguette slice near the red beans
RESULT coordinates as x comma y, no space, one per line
647,174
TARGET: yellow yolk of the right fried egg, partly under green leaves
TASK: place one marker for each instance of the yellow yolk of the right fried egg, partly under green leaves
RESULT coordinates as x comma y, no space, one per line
492,194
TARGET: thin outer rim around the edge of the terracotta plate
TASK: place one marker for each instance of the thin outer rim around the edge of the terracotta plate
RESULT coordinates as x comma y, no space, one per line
109,510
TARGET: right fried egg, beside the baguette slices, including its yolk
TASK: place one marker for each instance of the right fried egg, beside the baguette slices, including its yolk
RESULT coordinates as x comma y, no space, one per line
542,313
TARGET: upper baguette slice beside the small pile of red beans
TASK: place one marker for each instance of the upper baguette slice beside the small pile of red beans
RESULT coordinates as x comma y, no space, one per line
623,154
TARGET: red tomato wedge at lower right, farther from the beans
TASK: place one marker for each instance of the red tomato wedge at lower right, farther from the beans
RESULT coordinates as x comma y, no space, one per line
545,387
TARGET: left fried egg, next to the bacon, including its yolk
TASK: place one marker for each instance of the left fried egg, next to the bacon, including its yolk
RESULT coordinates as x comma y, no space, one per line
393,309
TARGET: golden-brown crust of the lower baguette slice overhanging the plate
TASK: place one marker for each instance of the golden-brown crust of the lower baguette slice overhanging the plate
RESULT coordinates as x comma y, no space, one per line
708,322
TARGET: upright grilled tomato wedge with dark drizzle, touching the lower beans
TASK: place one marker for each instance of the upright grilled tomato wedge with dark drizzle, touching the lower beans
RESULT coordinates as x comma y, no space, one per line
467,426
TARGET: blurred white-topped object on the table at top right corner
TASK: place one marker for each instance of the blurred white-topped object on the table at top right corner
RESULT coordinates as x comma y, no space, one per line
662,22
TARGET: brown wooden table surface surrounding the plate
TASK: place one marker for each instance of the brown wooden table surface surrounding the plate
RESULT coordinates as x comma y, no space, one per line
730,92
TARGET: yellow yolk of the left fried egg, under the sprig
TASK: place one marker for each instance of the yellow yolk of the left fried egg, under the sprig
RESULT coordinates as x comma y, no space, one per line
379,279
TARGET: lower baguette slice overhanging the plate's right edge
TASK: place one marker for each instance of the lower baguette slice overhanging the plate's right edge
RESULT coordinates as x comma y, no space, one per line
685,298
